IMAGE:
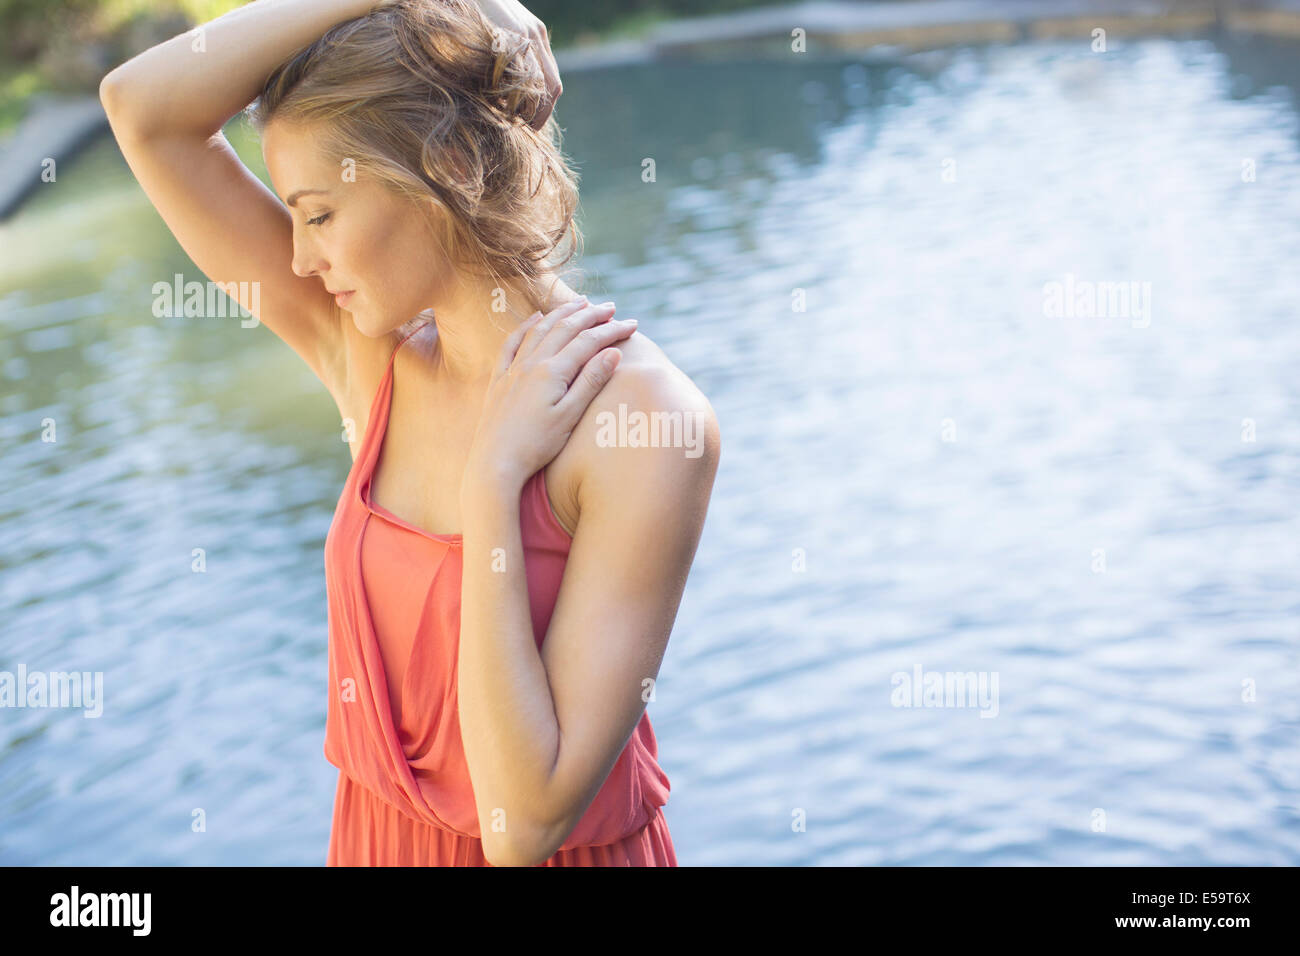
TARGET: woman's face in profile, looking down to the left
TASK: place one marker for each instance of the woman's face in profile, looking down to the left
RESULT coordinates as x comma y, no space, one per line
356,235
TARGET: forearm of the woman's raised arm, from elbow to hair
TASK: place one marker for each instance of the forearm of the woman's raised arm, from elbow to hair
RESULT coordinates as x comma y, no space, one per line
198,80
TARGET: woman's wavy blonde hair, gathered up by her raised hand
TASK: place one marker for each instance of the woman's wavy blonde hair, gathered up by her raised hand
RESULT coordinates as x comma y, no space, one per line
430,100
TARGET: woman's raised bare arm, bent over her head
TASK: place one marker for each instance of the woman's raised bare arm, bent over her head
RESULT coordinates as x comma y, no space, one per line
167,109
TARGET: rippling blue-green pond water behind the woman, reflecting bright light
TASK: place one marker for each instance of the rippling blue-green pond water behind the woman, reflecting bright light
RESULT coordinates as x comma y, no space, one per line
922,469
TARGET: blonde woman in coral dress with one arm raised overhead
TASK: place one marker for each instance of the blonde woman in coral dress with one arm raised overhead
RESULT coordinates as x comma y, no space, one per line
502,577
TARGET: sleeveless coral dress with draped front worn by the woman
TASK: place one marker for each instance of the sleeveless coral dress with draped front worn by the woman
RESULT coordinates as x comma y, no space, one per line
405,797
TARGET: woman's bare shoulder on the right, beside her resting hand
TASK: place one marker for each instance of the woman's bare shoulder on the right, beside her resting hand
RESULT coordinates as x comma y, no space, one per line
649,405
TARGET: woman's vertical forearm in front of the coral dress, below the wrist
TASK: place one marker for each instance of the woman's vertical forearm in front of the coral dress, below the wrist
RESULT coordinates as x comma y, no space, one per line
508,715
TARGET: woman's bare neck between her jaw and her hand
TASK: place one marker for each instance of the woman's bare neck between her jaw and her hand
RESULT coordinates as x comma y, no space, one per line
476,319
